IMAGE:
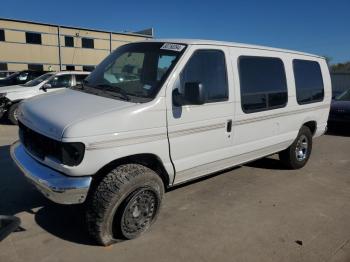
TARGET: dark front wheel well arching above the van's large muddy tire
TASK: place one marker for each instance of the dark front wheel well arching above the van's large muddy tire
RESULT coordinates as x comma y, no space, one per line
149,160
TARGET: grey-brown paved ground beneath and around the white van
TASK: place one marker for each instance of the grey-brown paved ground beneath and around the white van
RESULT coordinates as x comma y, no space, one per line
258,212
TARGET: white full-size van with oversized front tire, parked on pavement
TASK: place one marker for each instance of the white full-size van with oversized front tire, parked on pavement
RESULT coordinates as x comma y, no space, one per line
155,114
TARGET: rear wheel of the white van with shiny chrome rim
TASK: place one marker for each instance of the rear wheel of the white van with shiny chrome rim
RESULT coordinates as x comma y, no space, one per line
297,155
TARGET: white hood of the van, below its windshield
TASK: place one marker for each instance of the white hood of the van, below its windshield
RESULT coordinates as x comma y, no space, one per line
52,113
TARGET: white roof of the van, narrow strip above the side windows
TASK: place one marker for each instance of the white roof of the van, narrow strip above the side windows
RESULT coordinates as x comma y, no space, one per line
233,44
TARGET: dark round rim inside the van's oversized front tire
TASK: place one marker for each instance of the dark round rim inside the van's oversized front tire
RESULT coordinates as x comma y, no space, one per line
139,213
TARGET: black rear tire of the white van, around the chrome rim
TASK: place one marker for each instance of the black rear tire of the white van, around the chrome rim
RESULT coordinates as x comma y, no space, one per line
289,156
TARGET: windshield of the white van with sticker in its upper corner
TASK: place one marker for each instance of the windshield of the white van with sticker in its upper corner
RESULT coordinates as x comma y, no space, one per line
134,72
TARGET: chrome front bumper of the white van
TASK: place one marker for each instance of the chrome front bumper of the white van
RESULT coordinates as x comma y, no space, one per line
54,185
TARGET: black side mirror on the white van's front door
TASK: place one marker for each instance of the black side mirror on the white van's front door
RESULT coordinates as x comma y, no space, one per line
194,94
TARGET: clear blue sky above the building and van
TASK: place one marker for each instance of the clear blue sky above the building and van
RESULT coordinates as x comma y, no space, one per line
320,27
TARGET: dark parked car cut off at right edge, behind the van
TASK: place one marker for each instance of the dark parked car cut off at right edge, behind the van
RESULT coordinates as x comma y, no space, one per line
340,109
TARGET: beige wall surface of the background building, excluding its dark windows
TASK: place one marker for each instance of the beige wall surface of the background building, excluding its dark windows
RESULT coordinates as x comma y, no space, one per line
18,54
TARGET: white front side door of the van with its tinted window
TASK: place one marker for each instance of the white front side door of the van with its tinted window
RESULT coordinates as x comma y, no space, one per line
200,136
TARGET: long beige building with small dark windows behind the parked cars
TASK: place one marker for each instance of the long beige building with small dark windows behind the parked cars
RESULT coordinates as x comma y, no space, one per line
40,46
